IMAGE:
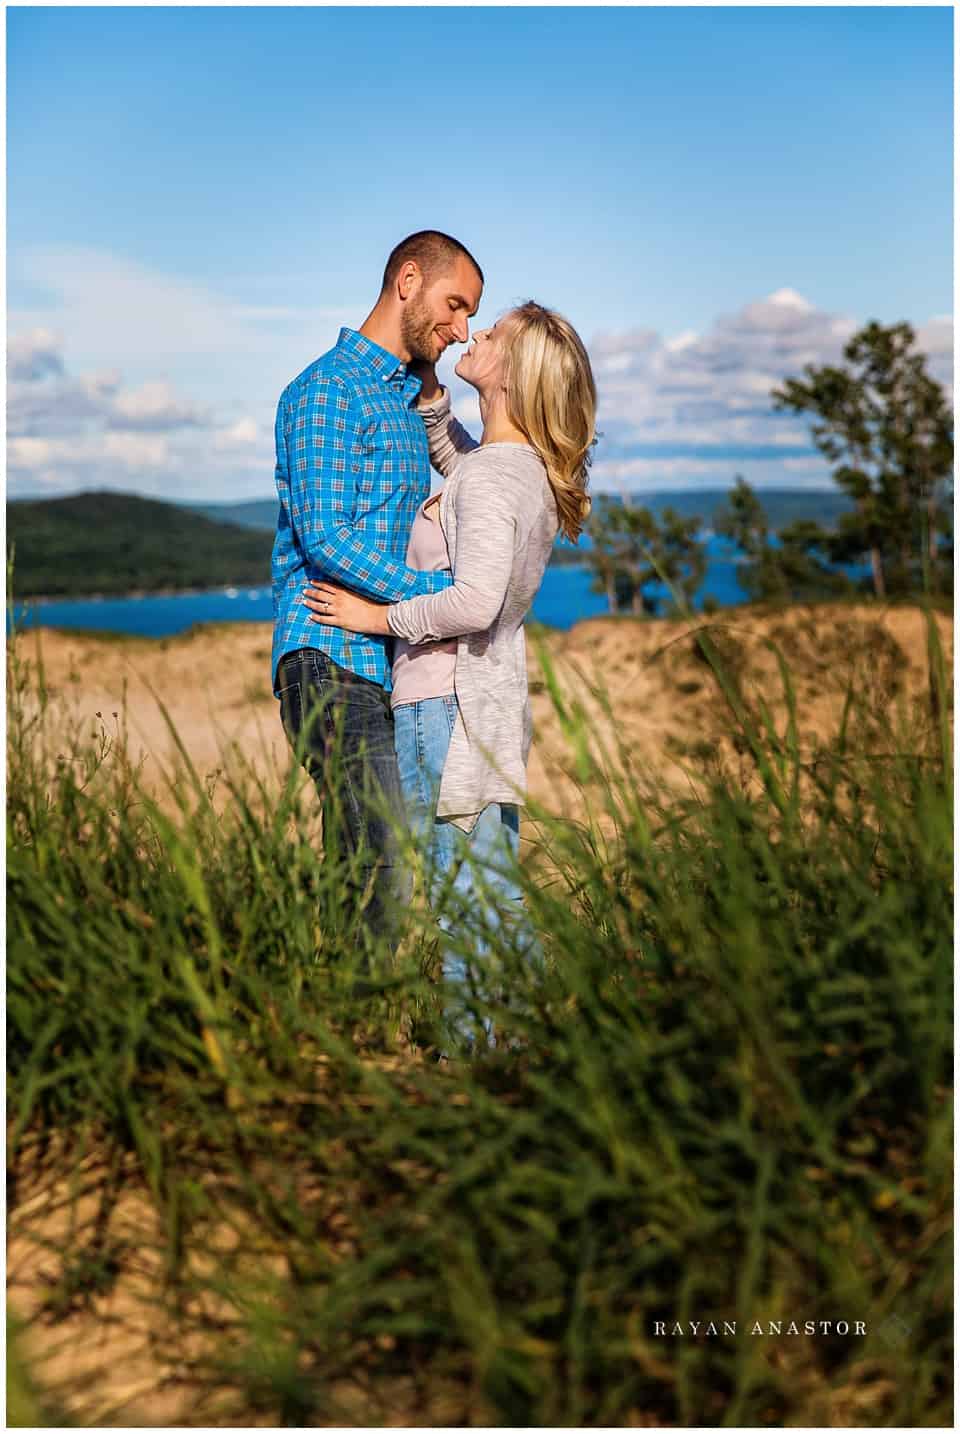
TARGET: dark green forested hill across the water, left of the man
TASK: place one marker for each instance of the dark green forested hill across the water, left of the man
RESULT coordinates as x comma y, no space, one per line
116,543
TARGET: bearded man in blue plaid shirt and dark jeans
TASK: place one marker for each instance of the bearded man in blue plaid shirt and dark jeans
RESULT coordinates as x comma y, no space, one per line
352,470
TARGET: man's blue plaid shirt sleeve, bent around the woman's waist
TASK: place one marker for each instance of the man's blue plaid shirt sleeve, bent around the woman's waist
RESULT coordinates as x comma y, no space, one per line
322,441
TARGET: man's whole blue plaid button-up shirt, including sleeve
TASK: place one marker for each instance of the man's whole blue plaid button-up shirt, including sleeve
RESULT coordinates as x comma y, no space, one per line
352,470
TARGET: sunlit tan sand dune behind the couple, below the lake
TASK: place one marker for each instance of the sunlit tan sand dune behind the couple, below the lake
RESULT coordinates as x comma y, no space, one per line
665,705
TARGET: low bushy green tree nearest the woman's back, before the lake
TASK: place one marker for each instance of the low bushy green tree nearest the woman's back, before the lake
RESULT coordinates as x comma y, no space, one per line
634,551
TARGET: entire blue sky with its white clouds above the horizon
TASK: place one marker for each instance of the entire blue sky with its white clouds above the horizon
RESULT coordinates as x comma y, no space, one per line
200,197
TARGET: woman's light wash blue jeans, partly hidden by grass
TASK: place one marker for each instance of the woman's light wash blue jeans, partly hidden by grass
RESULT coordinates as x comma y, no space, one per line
466,870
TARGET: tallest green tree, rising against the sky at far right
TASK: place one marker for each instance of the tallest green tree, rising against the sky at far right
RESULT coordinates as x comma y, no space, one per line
886,427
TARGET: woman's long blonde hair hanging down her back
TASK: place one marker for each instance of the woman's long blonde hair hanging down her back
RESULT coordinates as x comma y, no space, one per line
552,398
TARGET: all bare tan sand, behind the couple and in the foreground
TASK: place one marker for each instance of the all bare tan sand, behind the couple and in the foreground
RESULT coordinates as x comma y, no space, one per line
665,711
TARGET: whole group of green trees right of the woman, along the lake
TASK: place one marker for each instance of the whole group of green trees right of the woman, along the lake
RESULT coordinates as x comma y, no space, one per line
886,427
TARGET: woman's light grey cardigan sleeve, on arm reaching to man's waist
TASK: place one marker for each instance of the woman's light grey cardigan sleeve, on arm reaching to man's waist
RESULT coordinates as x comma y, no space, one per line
487,527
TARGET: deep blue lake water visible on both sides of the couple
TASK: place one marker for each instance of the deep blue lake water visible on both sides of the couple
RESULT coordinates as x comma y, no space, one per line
563,600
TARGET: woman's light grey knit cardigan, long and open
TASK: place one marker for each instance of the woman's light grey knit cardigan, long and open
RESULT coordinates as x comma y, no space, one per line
500,521
